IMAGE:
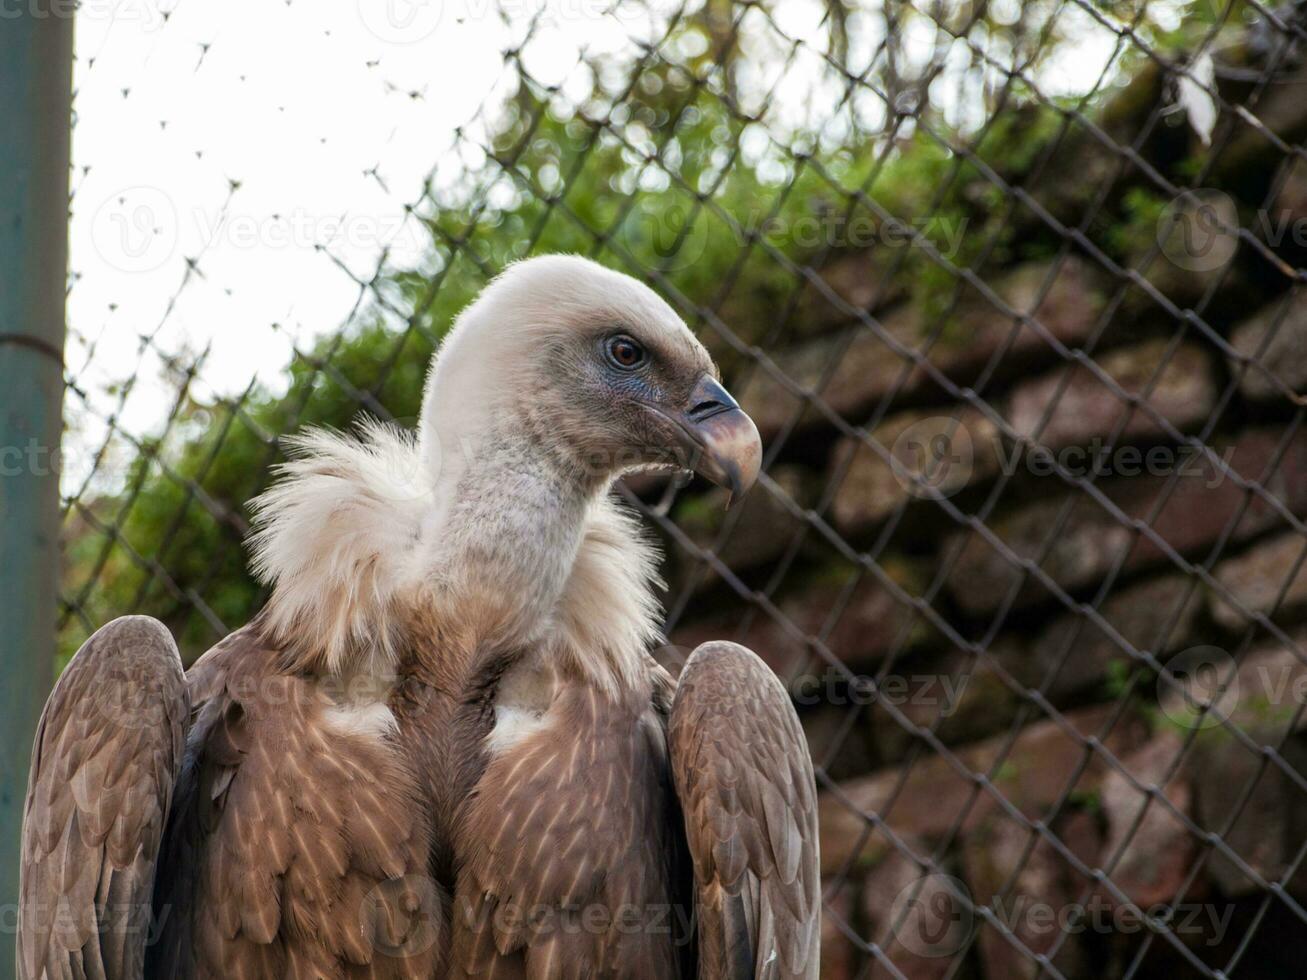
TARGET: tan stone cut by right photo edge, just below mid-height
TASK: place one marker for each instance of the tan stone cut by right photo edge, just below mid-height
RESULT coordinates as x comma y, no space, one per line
1271,577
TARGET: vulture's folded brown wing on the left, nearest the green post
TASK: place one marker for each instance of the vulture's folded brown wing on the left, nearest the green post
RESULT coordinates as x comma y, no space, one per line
104,766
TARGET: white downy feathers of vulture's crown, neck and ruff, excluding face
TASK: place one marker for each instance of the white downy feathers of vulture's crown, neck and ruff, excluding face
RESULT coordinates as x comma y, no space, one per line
364,531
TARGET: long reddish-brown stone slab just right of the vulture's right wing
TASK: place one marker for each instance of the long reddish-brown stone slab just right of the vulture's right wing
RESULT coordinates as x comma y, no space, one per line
931,796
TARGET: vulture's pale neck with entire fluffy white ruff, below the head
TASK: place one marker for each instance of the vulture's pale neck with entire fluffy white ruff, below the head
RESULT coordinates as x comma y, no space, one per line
385,557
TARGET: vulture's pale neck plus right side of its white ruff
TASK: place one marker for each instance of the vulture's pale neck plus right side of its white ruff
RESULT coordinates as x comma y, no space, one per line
529,556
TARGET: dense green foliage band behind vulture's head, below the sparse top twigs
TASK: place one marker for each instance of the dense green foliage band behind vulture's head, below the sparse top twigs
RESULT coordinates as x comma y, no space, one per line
710,207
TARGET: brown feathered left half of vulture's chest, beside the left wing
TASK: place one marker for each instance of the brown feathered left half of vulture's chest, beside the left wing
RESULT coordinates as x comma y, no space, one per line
296,849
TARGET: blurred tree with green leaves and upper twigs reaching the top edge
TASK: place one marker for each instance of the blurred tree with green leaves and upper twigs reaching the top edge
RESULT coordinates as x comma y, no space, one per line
662,174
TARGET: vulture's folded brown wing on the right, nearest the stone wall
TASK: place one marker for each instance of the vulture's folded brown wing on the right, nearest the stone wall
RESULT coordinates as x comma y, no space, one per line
746,783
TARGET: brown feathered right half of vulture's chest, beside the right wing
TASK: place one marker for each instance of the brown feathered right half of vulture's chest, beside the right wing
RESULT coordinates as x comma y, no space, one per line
567,853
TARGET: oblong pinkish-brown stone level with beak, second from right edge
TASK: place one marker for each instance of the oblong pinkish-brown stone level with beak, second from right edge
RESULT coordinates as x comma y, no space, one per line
1178,386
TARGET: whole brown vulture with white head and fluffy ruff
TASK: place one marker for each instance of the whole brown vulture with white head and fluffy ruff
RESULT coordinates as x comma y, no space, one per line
445,748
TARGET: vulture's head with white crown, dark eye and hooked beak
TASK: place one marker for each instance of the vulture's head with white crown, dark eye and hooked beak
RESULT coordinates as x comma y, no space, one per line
595,369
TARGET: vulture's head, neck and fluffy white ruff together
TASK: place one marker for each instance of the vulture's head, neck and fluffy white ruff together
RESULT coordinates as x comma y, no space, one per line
496,517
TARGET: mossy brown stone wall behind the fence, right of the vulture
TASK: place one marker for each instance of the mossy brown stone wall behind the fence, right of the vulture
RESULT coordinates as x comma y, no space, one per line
1007,544
